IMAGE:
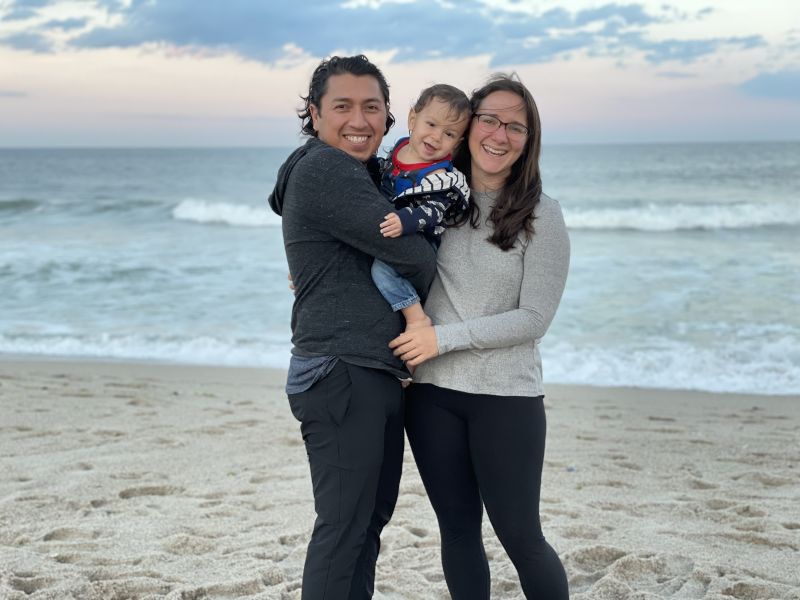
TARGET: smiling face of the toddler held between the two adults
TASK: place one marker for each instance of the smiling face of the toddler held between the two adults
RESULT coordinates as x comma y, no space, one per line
435,131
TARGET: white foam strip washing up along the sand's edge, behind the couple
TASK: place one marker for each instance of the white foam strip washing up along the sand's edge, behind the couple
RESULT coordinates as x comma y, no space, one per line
772,367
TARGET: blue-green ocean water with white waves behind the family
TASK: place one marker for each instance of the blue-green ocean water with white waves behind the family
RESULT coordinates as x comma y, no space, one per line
685,261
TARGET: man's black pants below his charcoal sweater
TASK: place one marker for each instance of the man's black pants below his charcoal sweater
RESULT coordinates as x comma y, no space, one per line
352,425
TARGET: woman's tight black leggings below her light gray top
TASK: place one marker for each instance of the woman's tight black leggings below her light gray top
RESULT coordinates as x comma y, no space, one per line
473,447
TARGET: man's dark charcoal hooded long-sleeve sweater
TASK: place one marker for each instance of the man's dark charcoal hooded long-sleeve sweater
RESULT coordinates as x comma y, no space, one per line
332,211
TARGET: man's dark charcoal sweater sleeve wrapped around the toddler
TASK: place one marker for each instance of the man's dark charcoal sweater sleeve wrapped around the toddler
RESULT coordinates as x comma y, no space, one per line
338,196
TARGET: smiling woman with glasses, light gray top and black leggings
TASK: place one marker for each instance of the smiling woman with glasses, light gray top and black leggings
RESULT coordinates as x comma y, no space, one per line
475,415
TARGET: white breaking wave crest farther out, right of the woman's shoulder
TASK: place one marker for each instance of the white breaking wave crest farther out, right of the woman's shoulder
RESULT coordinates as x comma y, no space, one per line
674,217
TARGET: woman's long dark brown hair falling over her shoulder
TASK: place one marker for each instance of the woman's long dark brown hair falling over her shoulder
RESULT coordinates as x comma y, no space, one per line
512,212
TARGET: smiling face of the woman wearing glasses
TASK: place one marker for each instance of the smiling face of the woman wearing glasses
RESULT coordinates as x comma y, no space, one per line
494,152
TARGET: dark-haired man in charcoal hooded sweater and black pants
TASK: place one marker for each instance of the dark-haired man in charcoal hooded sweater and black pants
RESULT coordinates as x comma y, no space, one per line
344,382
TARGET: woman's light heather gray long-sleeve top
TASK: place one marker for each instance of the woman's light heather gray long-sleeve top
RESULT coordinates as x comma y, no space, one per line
492,307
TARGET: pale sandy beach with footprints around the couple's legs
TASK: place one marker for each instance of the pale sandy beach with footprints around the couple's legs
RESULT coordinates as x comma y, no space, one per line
128,481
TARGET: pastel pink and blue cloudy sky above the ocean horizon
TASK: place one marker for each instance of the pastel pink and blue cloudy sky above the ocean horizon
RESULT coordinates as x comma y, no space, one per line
175,73
